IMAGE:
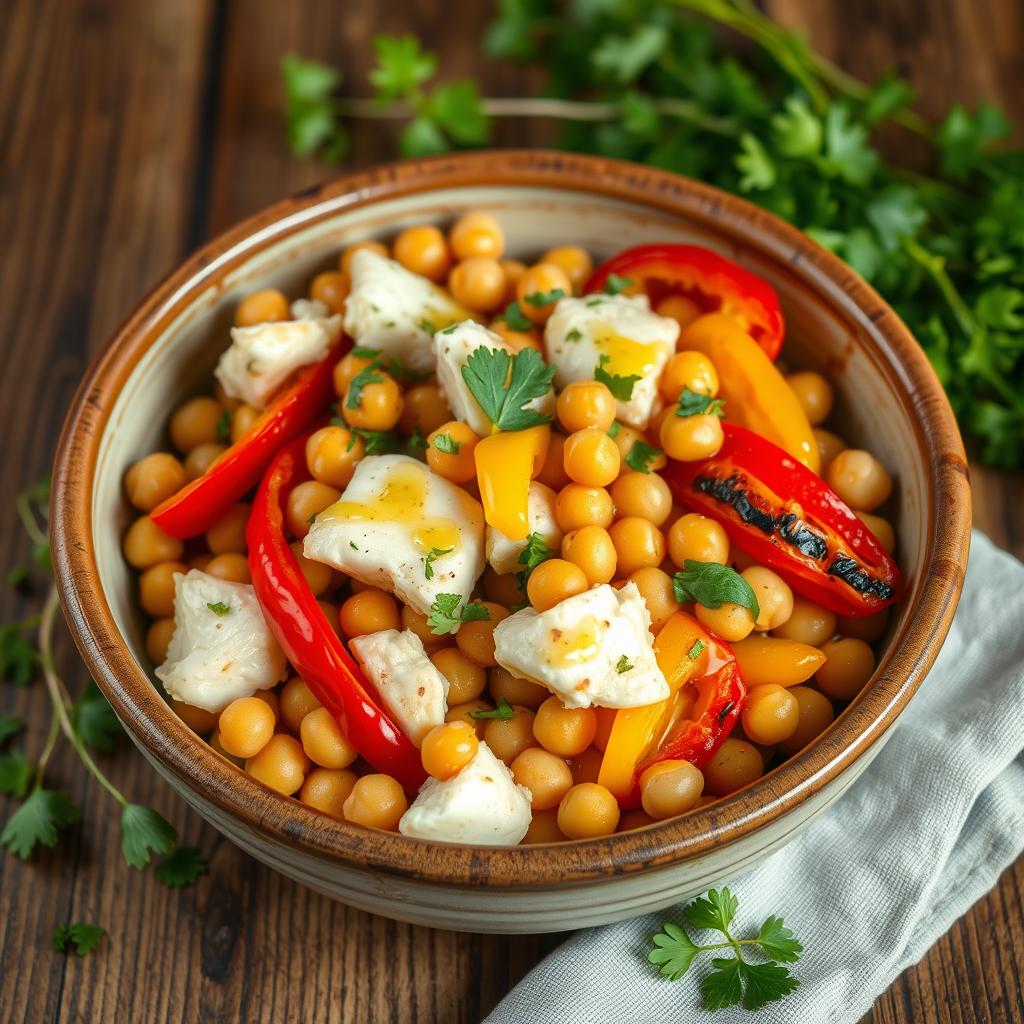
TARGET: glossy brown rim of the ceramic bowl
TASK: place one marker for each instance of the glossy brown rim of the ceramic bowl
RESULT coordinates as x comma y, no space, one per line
195,765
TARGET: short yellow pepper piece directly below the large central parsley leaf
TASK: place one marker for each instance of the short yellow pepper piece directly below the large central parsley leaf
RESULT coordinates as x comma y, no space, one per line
506,462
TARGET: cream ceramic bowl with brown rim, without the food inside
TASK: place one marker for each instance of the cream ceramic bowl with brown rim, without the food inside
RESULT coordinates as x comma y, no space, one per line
888,401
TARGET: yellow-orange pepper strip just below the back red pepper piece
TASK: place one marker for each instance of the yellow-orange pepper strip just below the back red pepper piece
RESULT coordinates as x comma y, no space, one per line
756,394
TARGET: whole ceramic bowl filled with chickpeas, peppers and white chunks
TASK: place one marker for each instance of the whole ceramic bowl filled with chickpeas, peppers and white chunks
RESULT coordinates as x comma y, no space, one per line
510,542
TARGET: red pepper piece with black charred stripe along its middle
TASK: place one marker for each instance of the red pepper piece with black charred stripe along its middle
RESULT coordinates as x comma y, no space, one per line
781,514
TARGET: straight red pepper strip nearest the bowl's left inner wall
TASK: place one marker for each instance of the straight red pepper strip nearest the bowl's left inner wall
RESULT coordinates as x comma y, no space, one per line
200,504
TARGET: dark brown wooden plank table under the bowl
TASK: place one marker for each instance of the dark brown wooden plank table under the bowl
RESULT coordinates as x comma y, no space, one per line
130,133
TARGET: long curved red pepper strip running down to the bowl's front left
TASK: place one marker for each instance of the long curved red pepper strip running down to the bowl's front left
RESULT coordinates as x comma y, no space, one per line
306,635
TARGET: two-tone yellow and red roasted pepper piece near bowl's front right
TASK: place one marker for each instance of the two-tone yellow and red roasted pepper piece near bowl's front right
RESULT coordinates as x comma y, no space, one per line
687,654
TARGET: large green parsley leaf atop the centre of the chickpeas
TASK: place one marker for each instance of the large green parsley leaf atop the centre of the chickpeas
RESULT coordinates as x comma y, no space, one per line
503,386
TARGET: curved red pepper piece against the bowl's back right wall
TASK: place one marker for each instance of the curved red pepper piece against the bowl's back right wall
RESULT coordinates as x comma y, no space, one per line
714,283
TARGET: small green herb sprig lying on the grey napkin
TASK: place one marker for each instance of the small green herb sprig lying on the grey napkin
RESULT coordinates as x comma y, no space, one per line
733,980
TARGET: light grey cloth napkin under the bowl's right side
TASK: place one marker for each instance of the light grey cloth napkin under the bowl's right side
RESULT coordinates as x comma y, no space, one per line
874,881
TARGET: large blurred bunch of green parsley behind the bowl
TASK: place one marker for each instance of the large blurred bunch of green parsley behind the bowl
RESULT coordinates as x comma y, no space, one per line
656,81
